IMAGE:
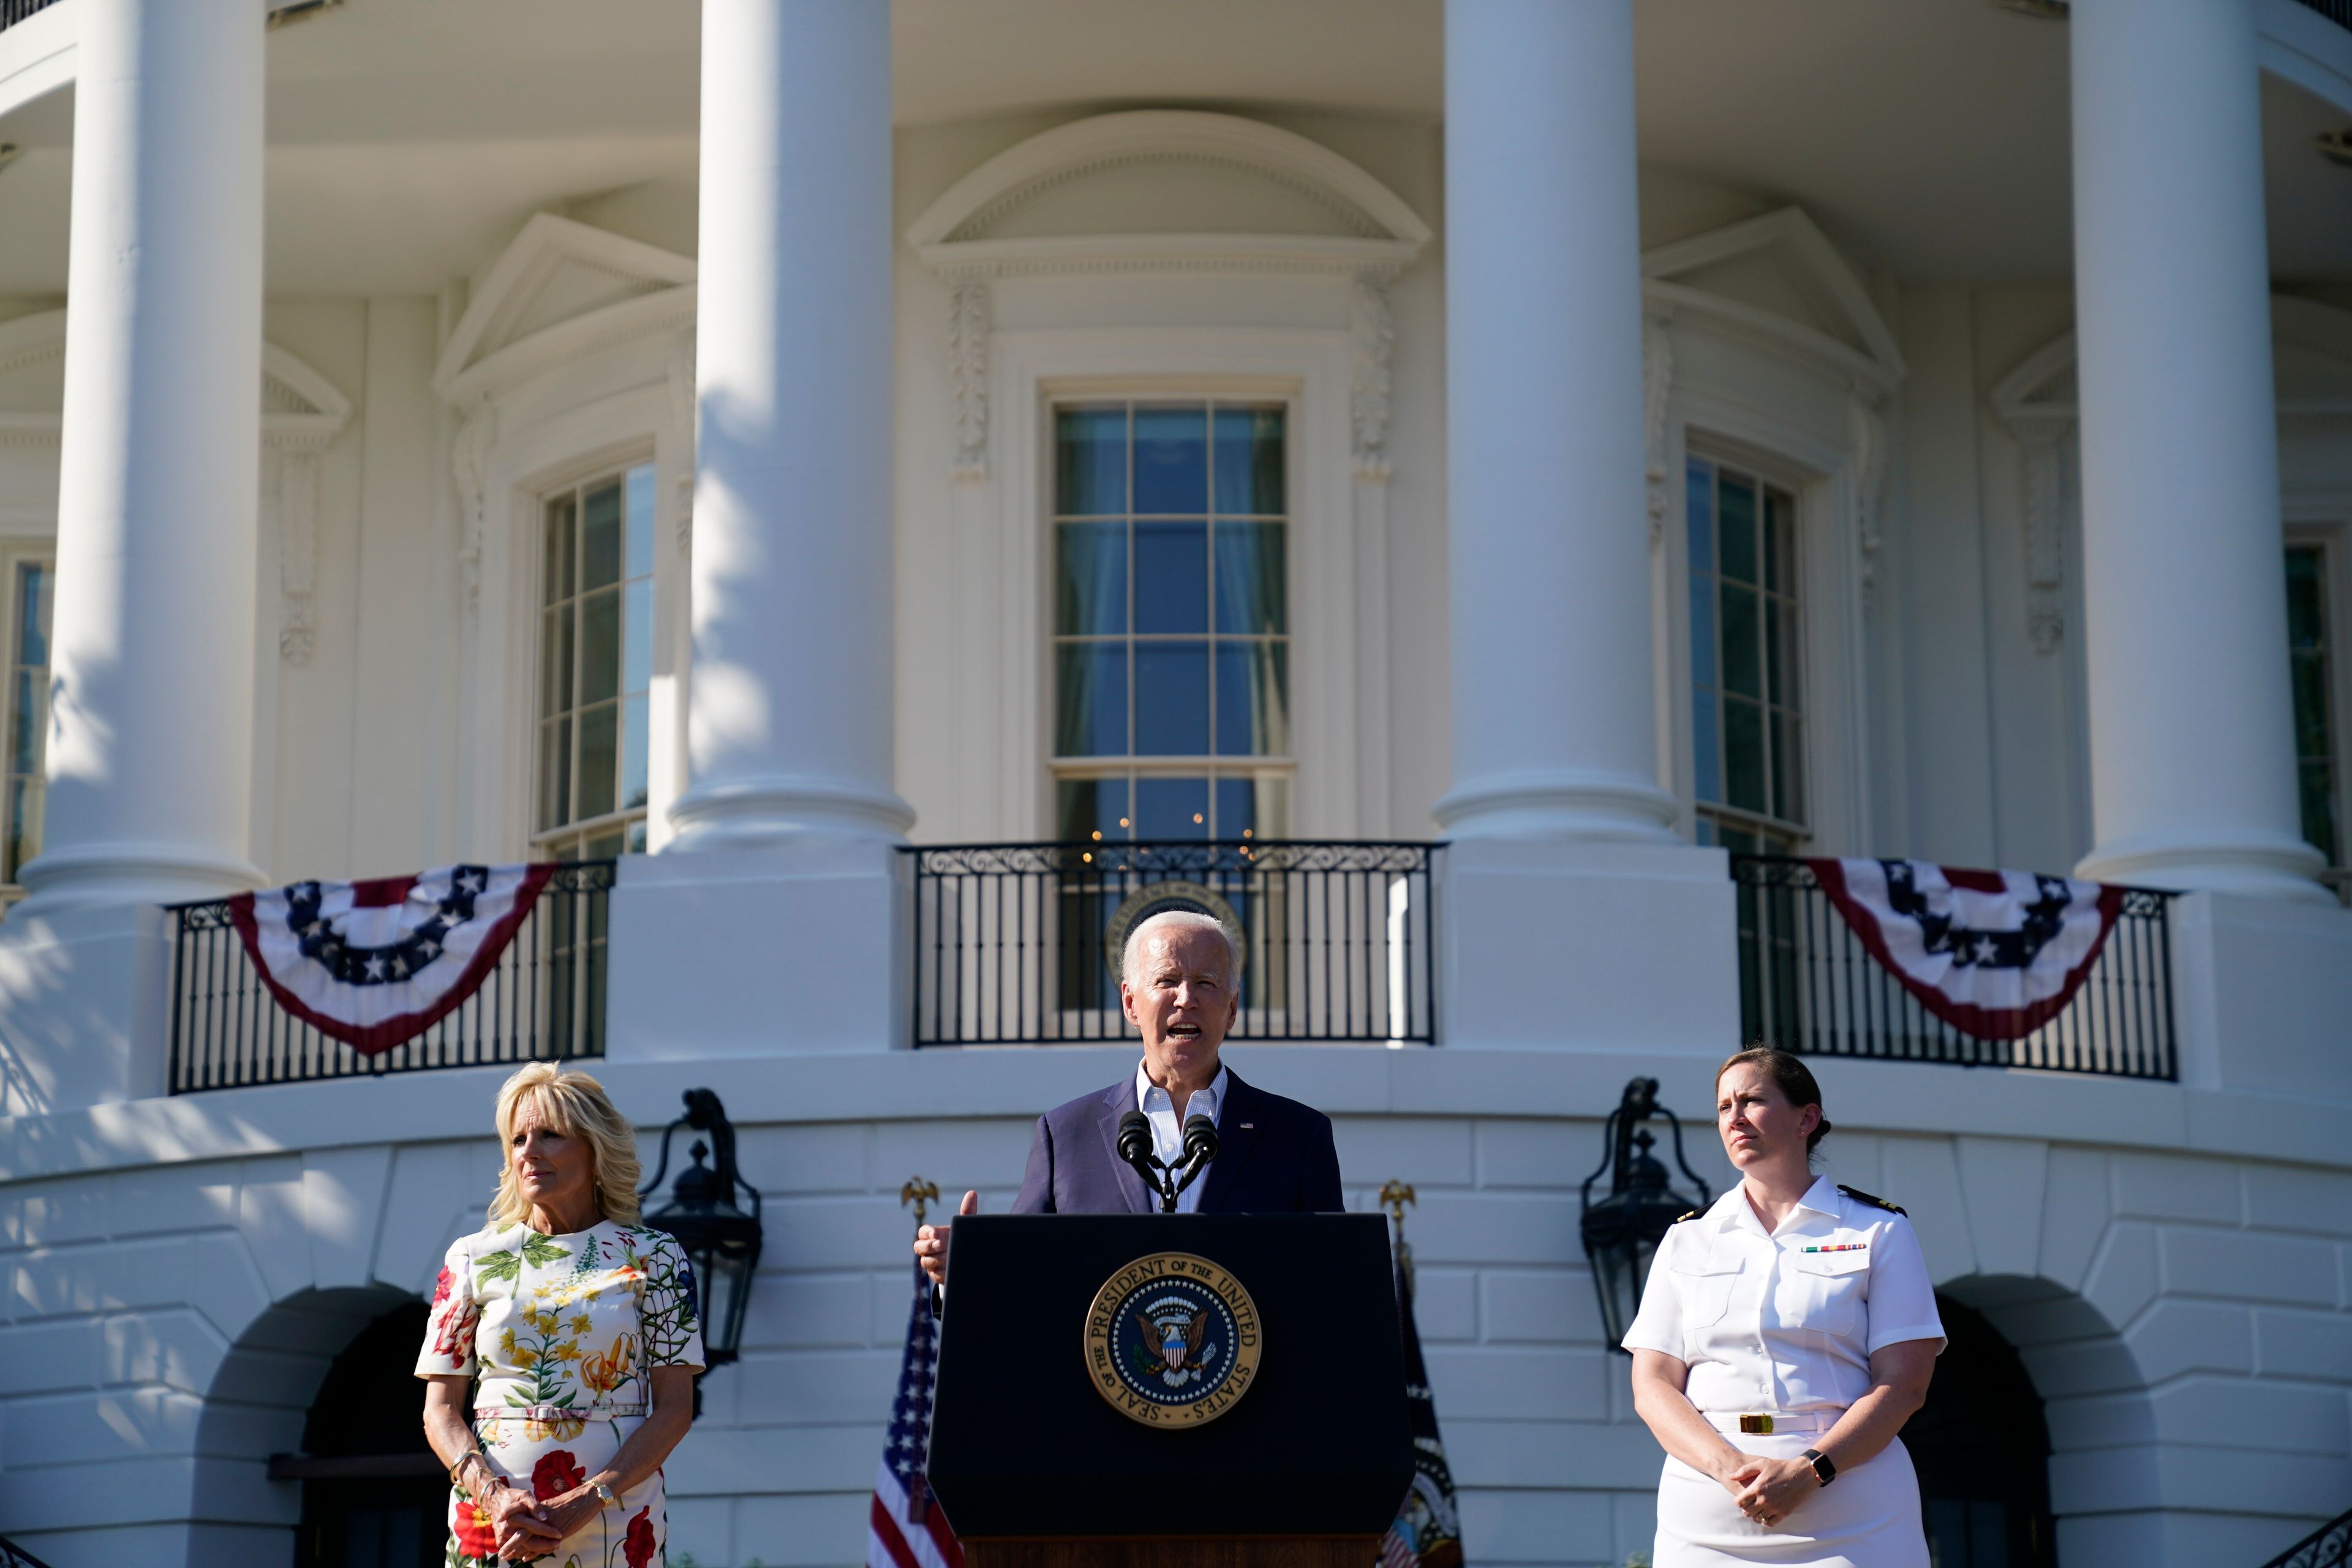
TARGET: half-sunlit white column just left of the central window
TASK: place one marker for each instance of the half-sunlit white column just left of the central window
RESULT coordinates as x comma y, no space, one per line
789,716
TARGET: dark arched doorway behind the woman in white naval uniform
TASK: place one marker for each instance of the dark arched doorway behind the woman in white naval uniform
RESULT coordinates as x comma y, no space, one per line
1984,1454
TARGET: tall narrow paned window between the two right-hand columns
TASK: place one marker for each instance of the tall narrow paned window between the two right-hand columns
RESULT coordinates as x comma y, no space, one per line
1746,662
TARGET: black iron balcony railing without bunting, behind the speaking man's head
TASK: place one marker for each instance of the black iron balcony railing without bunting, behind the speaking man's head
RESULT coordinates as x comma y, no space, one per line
1020,944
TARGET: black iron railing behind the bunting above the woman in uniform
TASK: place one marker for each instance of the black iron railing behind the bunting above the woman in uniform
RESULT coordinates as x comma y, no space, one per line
1810,986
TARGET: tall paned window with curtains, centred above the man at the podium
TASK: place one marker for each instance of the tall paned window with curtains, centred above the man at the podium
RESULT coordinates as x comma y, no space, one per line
1170,622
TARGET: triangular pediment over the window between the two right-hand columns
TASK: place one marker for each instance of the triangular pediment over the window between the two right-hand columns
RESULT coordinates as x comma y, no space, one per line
1779,276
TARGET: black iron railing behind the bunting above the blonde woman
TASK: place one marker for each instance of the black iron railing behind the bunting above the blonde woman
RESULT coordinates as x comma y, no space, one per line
544,1000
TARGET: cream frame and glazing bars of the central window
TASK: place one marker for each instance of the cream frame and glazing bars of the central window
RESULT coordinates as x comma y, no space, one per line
1151,765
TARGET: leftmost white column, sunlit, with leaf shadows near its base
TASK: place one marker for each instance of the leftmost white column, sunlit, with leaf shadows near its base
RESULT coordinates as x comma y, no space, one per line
154,652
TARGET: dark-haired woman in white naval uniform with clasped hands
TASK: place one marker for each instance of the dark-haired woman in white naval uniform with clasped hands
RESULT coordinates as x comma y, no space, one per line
1784,1339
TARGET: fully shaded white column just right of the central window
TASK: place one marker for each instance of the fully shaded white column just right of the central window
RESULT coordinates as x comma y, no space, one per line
1553,728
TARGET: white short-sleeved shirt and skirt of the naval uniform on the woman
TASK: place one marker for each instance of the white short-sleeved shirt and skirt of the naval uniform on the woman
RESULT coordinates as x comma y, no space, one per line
1784,1325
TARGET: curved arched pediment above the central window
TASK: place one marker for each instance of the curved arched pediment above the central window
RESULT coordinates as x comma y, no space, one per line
1168,189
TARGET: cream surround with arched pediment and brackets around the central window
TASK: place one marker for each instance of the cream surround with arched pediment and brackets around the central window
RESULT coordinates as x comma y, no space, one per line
1062,262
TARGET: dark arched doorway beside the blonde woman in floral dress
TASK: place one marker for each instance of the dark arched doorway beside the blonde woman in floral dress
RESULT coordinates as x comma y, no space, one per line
373,1494
